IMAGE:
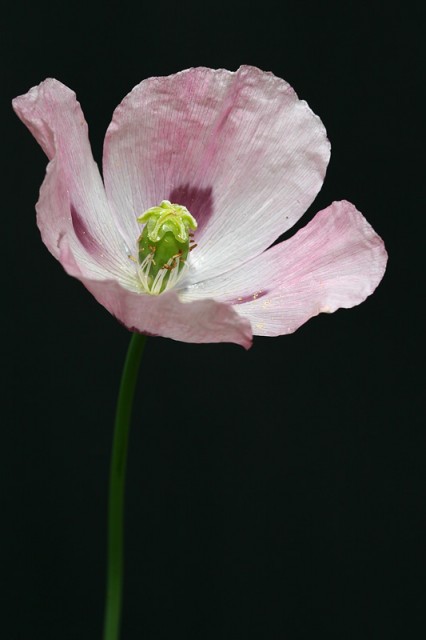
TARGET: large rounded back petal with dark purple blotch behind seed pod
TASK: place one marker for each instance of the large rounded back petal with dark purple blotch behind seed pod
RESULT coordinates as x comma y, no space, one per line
235,148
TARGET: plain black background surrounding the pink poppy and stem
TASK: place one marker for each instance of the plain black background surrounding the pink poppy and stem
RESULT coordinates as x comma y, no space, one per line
276,493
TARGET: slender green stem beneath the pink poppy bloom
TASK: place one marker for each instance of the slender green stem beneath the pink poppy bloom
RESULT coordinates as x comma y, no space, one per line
116,487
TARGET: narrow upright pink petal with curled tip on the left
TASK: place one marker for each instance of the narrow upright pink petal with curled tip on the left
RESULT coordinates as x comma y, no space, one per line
72,199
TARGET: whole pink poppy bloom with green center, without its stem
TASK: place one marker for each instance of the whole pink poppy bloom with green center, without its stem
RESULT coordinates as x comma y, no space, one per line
216,161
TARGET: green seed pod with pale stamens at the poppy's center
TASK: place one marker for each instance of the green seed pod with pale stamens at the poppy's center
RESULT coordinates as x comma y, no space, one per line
164,245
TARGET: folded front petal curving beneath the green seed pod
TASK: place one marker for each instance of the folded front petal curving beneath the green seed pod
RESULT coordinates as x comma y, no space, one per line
166,315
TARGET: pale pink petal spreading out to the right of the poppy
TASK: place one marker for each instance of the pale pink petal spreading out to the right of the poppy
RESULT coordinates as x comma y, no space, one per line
336,261
